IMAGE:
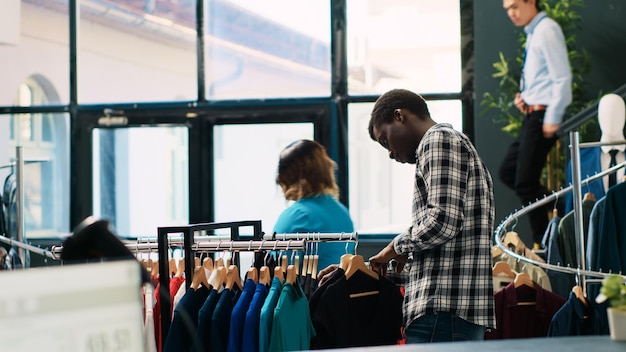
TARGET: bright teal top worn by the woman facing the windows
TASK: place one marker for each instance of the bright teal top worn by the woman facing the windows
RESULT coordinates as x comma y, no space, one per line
319,214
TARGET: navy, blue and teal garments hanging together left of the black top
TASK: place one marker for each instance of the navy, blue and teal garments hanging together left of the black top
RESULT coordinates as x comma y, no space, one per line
220,312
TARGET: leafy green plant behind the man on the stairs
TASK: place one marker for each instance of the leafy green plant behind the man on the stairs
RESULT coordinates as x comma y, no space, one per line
508,70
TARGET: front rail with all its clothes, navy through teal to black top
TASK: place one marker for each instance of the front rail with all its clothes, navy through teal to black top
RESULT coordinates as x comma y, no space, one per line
215,315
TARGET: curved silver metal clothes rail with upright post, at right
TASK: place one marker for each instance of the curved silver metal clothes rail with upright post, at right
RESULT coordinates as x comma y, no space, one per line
576,188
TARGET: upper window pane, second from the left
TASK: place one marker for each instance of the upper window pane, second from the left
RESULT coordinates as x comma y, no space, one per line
147,47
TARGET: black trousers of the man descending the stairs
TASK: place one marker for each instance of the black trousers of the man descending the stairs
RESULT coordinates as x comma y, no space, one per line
521,169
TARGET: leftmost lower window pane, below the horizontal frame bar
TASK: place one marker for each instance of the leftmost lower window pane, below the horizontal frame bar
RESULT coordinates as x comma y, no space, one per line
46,175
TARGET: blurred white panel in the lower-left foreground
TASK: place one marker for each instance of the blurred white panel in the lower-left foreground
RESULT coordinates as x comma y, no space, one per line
80,307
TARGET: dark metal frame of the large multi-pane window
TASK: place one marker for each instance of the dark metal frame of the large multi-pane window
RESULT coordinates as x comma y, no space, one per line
330,127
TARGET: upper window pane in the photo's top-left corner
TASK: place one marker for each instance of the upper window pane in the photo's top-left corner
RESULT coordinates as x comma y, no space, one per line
29,31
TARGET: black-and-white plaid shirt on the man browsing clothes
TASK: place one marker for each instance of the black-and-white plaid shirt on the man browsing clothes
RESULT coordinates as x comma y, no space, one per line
449,242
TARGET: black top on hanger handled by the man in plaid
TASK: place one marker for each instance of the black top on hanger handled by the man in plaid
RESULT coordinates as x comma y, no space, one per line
341,321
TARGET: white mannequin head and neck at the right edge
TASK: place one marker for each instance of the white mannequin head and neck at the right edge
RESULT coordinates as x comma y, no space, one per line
611,118
